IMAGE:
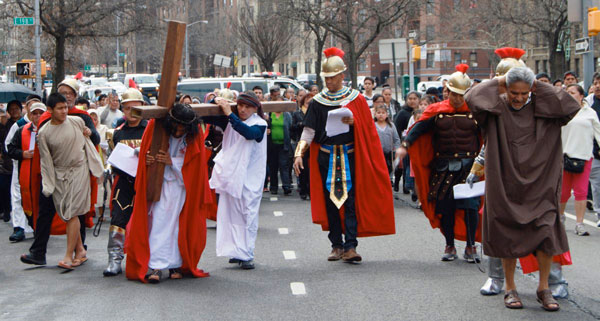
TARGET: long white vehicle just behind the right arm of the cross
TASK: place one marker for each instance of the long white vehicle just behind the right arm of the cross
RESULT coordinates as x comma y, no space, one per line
199,87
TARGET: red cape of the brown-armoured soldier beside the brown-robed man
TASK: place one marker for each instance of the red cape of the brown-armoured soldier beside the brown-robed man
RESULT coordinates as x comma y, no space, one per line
421,155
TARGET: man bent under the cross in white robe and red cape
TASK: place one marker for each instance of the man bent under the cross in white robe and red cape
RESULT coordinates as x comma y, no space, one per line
171,232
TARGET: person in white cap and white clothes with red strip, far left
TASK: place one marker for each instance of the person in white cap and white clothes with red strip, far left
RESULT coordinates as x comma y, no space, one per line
20,145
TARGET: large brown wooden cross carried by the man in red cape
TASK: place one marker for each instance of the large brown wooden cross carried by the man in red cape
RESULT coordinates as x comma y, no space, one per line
166,99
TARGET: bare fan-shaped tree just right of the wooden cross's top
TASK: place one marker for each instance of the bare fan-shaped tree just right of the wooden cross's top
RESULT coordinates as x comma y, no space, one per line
267,34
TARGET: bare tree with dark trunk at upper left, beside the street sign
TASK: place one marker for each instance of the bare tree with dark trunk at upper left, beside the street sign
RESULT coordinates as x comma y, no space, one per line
72,19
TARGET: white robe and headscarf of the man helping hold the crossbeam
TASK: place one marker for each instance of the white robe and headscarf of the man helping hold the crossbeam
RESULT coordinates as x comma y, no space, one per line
238,177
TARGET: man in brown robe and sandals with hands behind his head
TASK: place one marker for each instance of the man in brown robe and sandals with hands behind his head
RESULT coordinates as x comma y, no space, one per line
522,132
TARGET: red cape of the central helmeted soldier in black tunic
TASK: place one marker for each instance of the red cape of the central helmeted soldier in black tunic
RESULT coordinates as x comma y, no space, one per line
373,191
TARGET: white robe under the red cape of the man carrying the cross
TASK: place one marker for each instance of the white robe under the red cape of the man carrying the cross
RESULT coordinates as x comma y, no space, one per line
164,214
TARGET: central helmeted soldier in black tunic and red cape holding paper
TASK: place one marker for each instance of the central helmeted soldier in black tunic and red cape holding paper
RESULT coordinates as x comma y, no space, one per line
350,178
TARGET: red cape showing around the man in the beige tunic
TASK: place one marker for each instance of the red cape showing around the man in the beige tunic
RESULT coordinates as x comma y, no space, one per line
59,227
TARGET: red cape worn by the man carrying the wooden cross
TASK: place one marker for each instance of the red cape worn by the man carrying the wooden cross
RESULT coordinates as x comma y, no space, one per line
192,219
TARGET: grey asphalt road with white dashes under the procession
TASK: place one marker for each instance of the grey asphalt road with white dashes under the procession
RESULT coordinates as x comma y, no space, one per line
401,278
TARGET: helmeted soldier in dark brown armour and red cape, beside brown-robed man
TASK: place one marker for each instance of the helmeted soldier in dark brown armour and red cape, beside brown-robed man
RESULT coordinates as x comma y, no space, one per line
442,147
